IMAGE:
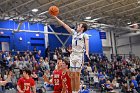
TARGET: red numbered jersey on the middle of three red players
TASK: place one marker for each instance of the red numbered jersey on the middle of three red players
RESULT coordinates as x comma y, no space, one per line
57,81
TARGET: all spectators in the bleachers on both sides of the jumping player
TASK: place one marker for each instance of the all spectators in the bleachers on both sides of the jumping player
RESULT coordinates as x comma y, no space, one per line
102,74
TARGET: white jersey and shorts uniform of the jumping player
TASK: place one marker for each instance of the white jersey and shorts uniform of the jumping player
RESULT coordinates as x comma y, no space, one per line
78,44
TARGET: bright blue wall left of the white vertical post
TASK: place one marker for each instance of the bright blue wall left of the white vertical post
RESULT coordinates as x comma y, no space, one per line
29,40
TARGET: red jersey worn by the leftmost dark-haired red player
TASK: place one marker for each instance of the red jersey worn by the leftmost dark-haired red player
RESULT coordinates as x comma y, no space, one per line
26,84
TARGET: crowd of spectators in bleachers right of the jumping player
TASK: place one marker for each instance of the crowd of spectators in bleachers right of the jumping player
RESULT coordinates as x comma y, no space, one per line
120,73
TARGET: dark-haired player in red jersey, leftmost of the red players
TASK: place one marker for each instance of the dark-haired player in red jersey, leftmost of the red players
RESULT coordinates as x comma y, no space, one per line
25,83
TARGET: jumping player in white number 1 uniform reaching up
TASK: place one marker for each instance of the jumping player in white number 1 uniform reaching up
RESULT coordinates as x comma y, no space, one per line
80,42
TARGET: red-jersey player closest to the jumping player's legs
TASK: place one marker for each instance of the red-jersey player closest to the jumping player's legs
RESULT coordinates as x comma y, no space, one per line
66,83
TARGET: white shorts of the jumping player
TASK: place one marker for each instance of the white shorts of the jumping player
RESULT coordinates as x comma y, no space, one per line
76,60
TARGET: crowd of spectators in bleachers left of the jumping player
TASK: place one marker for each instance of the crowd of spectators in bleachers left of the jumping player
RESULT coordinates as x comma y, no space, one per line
39,65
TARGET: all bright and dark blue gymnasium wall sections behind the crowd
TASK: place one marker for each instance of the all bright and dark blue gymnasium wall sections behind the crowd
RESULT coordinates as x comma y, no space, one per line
31,40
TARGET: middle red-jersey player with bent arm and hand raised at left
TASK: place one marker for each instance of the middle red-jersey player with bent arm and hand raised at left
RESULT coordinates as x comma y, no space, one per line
57,77
